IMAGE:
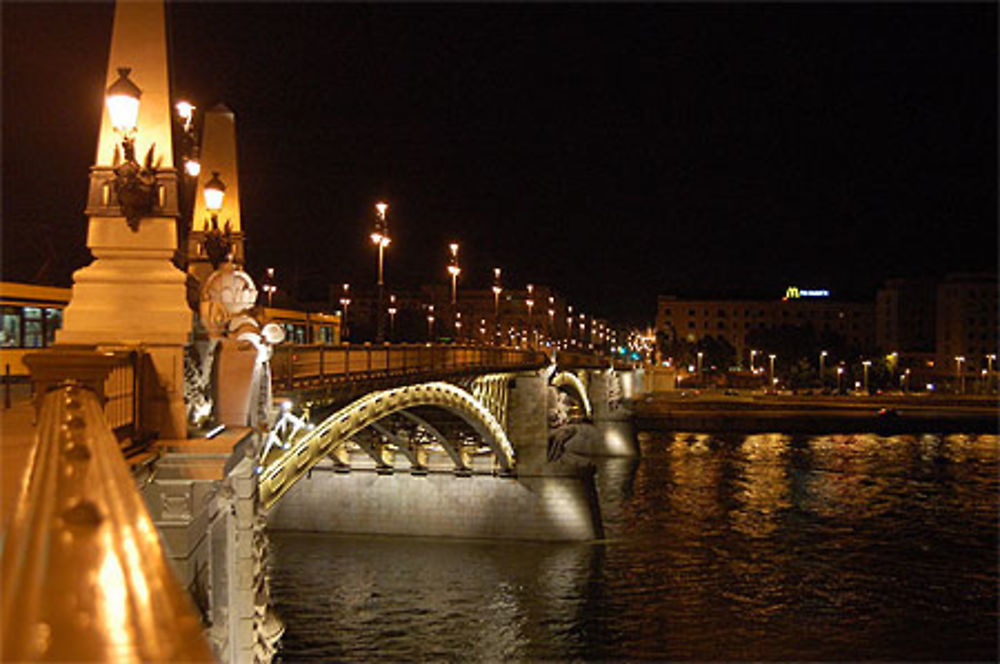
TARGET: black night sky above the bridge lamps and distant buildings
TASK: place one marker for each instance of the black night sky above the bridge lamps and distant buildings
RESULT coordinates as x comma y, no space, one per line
614,151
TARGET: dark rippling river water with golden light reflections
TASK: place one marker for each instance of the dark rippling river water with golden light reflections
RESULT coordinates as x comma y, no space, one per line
759,547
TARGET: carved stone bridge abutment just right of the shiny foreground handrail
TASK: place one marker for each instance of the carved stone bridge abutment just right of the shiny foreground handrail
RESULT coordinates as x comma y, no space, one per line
204,503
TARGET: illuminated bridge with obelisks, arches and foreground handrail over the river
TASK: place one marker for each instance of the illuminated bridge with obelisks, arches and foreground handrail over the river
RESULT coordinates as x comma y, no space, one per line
169,439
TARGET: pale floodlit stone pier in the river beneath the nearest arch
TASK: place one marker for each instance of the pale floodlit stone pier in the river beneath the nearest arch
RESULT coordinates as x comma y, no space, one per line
542,500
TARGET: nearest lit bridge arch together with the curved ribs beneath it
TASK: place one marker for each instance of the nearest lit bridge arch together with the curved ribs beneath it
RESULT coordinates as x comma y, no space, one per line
374,411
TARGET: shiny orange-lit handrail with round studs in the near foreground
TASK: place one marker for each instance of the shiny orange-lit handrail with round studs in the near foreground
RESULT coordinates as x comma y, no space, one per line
84,574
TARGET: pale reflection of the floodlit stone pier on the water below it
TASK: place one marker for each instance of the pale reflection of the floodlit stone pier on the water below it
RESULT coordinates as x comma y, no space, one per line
413,599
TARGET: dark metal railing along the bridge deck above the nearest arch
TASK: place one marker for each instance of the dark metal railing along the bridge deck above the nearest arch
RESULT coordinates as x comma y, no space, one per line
294,366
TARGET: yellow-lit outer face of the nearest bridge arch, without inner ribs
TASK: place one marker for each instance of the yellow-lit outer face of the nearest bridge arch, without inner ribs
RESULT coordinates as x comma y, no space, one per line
309,449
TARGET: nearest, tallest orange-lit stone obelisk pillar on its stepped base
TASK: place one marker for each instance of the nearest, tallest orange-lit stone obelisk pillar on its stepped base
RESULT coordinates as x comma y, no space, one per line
131,294
